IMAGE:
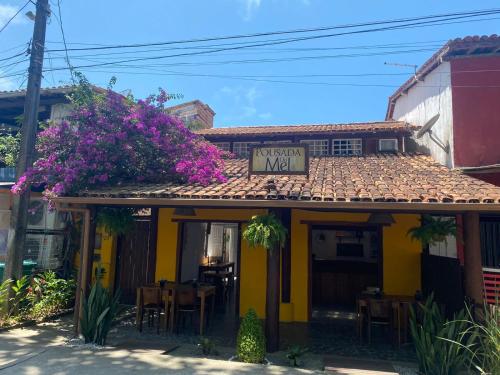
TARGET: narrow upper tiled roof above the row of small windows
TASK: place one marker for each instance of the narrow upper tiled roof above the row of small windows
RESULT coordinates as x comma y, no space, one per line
308,129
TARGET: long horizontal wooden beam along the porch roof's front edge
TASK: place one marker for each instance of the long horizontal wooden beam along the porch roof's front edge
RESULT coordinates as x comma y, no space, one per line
403,207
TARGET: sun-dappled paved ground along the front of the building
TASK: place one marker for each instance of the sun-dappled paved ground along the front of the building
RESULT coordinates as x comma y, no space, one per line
44,349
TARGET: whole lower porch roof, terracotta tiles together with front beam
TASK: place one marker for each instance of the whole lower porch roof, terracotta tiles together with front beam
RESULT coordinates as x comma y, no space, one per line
379,181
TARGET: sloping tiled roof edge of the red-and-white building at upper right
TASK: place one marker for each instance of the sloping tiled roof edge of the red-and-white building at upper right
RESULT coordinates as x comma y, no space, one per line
459,47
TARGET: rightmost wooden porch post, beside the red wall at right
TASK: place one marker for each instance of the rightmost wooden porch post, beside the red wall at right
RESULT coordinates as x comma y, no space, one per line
473,271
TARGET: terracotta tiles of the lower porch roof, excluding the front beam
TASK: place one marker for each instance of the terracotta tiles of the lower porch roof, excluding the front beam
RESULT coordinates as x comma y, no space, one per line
370,178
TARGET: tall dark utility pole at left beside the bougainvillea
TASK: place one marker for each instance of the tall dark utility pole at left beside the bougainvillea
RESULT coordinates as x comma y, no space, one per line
19,215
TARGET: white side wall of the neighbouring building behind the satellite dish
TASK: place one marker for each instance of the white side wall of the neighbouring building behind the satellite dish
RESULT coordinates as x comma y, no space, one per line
422,102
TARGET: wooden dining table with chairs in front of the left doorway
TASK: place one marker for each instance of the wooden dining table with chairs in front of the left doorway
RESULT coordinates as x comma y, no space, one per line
202,291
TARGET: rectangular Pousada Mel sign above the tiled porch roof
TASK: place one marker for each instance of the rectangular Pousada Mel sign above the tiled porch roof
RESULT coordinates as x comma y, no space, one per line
279,158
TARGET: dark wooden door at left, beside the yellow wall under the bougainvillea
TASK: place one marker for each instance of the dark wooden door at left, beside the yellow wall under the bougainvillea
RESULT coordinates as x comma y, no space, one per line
136,259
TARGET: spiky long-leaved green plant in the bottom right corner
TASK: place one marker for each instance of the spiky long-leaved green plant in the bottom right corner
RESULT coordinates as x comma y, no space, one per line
481,340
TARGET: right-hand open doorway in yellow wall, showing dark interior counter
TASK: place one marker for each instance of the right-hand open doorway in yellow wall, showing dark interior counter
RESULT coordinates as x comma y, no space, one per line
345,261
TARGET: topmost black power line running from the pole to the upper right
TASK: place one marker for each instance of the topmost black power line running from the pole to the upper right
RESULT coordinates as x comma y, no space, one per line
295,31
